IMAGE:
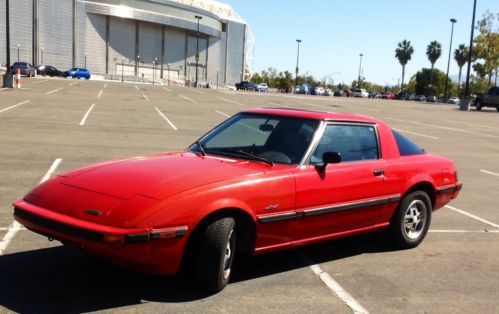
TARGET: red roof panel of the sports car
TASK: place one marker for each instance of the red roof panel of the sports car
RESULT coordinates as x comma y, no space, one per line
312,114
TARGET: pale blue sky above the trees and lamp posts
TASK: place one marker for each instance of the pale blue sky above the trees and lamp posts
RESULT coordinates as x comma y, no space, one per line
334,33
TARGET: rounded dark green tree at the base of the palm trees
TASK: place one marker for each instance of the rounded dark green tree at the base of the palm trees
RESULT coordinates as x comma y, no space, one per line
425,86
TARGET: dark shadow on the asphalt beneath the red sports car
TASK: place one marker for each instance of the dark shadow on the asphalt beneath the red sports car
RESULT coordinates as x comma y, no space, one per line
62,280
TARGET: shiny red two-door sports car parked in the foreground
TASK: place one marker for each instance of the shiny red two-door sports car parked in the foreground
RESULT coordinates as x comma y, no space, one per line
264,180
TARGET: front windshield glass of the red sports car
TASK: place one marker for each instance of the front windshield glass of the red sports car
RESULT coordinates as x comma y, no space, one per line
259,137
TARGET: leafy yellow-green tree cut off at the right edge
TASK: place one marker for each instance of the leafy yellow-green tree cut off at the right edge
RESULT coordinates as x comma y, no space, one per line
486,48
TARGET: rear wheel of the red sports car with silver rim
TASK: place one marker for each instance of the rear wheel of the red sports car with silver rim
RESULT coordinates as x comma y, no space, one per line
410,223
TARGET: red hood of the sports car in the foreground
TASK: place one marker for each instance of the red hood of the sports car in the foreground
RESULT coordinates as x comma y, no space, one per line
158,176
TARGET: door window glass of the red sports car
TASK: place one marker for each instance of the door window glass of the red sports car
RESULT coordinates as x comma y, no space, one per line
352,142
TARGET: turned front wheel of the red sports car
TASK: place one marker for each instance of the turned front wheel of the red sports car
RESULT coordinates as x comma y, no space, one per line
216,254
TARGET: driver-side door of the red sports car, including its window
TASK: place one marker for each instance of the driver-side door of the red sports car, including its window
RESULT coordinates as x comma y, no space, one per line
354,194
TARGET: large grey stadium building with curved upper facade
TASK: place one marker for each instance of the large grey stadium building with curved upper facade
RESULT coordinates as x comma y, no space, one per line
134,38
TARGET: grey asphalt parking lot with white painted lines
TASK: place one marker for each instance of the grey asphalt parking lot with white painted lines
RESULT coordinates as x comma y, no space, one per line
53,125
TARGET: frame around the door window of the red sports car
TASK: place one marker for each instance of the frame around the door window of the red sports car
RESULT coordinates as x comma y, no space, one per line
322,128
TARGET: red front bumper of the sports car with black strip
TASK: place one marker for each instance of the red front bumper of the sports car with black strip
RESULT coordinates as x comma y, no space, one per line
149,250
